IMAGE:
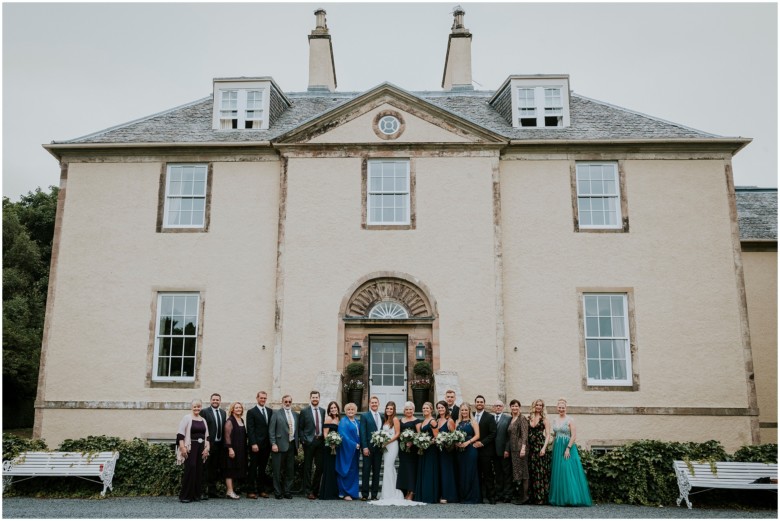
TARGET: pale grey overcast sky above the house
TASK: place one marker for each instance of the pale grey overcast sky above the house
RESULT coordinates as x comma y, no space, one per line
73,69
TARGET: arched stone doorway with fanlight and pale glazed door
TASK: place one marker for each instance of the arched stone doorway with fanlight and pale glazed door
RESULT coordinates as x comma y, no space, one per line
388,321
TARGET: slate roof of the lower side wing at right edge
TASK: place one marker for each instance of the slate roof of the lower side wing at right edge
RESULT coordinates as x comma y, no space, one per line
757,213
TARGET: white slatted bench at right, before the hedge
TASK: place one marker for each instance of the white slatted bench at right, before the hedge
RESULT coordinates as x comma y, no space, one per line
728,474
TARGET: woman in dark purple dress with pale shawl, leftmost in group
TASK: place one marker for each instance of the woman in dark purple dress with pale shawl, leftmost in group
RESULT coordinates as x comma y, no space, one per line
192,449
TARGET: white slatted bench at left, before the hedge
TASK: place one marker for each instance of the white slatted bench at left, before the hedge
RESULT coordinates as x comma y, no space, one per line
65,464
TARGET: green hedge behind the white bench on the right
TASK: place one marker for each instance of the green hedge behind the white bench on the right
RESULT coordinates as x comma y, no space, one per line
641,473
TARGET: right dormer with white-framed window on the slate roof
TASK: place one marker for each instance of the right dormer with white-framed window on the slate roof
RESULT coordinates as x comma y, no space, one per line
538,101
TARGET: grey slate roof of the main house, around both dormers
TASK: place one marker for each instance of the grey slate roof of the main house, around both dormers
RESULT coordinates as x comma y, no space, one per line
590,120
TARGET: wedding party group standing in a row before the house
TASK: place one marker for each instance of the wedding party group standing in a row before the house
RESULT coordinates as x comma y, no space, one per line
453,454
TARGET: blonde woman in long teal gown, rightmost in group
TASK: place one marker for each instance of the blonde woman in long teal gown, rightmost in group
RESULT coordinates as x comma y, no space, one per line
568,484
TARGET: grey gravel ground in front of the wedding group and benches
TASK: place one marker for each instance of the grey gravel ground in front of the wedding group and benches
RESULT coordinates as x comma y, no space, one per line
298,507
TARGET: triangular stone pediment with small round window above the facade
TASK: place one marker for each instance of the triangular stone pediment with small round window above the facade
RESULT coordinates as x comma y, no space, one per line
412,120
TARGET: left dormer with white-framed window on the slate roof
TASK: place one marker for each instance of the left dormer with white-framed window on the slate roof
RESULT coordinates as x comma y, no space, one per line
246,103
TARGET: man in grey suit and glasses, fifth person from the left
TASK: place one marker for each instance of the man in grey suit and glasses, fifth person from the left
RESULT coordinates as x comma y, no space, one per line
283,433
